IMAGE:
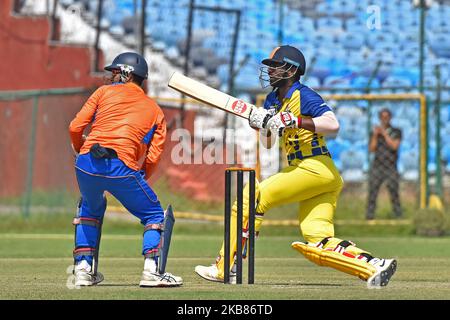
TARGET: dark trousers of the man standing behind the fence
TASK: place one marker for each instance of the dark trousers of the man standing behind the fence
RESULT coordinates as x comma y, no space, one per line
379,174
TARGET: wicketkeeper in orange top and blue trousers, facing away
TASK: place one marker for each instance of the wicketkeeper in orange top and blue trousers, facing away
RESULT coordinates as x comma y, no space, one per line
127,128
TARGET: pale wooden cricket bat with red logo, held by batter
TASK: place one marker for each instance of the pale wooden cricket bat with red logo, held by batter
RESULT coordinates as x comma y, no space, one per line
210,96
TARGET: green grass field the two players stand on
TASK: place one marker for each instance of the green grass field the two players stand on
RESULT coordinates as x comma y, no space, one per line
35,257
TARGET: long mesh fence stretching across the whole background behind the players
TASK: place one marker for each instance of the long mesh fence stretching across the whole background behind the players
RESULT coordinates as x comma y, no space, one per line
37,174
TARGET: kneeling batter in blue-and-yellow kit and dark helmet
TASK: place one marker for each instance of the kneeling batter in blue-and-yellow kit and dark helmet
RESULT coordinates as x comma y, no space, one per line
300,116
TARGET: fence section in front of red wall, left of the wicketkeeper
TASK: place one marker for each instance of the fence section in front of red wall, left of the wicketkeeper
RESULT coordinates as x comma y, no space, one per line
37,165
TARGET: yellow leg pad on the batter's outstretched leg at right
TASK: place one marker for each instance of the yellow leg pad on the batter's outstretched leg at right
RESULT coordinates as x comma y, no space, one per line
336,260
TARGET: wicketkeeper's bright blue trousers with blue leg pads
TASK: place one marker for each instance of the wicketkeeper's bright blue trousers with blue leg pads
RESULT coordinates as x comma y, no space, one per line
95,176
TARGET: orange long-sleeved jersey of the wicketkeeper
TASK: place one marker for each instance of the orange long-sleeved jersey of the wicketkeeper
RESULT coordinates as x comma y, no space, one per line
125,119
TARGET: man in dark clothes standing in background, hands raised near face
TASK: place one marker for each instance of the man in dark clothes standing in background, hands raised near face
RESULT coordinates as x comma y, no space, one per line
384,142
